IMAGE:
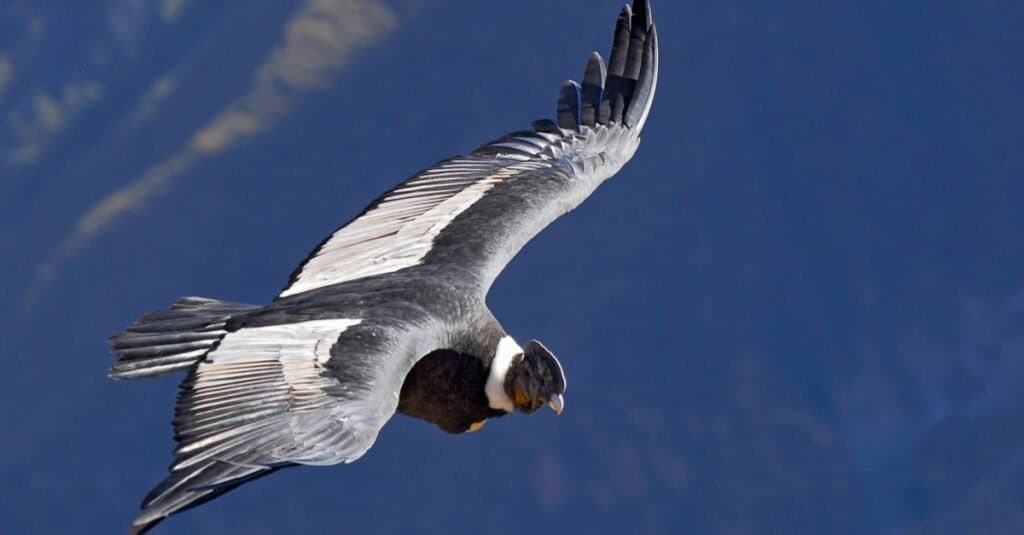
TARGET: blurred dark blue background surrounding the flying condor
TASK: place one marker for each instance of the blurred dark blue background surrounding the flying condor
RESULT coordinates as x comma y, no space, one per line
799,310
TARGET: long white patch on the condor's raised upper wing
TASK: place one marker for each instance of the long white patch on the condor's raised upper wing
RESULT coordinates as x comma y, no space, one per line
400,231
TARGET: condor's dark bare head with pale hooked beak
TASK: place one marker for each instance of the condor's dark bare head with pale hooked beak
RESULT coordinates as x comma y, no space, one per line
536,379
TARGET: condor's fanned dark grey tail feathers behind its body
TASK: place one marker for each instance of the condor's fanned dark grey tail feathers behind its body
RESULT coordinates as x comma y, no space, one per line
169,341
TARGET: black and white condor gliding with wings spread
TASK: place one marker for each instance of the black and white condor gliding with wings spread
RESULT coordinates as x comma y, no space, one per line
389,315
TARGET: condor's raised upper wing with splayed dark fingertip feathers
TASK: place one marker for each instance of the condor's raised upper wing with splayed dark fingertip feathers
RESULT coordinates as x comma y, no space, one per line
475,213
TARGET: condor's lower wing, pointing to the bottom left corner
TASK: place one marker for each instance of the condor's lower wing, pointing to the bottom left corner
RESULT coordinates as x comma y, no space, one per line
269,397
